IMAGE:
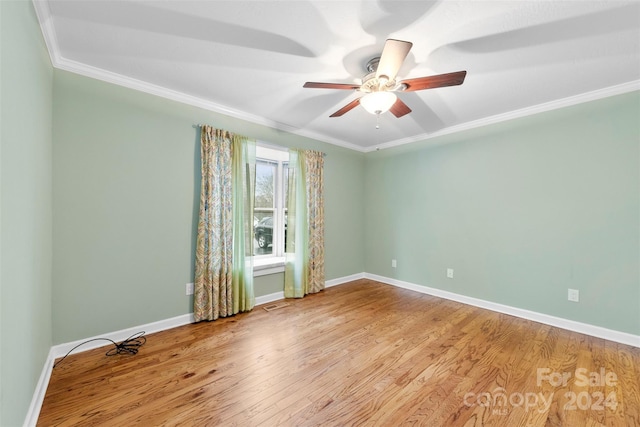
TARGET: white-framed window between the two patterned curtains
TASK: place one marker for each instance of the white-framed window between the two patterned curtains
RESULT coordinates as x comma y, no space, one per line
270,211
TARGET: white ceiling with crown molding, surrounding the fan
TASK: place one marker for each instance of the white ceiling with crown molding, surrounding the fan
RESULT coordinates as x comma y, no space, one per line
249,59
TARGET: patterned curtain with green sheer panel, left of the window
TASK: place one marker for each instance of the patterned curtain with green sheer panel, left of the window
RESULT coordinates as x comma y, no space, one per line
223,283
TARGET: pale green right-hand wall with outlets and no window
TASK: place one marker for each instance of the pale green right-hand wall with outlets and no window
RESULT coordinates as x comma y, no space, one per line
521,210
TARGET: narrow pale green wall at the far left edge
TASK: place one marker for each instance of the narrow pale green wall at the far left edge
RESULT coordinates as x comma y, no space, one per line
25,208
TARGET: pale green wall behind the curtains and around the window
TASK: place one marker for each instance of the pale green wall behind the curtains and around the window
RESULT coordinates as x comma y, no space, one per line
126,194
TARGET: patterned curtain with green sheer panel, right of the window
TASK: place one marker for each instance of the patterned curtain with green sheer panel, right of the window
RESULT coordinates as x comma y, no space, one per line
304,264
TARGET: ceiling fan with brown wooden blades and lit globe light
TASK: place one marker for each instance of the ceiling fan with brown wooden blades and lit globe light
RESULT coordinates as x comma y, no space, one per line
380,83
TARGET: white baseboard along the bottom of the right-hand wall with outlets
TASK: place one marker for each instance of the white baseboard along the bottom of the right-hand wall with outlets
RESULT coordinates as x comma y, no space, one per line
571,325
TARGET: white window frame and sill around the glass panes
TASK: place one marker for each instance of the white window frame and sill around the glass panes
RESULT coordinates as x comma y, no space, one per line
274,262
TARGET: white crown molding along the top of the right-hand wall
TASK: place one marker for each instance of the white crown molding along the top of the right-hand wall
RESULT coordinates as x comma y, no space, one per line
516,114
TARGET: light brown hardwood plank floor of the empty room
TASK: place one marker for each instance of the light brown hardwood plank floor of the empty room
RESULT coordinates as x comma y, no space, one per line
362,353
